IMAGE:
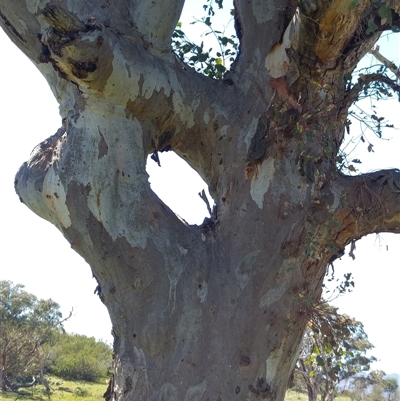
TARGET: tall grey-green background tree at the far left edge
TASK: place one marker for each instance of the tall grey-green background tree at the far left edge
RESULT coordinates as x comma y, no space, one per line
26,325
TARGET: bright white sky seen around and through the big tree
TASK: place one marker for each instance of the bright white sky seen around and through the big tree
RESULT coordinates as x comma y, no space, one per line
35,253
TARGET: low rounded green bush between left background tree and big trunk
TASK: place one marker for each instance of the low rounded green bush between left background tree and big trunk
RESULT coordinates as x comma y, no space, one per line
79,357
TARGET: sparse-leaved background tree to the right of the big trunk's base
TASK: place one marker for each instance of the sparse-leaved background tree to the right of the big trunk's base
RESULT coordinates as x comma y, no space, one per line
334,349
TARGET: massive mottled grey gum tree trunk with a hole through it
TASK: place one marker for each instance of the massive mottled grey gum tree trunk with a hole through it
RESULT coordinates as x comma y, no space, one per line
217,311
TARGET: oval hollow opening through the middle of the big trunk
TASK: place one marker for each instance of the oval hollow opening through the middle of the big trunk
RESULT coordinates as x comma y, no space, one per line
179,186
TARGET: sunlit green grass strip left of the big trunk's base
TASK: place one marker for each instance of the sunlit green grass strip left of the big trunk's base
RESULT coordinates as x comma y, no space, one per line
62,390
